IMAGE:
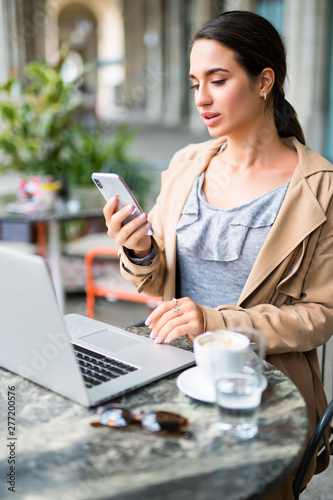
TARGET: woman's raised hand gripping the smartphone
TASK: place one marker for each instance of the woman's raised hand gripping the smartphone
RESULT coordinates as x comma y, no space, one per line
131,235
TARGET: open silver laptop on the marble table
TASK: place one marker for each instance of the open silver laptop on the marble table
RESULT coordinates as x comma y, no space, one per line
82,359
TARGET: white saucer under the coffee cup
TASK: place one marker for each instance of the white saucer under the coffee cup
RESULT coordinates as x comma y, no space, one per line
192,383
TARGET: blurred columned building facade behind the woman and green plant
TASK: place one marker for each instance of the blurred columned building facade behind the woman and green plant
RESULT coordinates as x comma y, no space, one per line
139,53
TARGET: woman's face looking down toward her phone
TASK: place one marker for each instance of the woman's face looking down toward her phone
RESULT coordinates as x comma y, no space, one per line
228,101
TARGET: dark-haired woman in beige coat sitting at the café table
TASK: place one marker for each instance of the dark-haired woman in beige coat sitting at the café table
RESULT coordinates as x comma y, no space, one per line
243,220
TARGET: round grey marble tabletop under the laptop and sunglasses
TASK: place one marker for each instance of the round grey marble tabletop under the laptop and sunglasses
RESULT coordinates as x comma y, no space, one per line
59,455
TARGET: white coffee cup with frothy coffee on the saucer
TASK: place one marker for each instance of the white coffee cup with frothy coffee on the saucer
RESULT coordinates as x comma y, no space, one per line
219,352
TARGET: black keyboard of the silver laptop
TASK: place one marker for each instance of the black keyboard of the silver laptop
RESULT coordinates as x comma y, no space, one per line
97,368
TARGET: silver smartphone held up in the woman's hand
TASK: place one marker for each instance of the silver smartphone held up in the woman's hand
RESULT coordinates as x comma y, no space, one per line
111,184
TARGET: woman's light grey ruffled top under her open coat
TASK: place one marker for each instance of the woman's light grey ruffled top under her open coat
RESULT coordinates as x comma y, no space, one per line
217,247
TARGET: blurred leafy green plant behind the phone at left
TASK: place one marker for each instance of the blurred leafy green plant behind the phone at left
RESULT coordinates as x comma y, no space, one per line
40,132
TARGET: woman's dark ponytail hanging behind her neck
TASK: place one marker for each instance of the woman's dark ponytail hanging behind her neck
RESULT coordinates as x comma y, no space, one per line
286,120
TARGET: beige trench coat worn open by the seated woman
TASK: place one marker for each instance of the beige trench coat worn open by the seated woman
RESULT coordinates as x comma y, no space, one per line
289,292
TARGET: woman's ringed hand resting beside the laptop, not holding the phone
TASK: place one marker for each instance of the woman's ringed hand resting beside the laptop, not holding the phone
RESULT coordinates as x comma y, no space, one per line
174,318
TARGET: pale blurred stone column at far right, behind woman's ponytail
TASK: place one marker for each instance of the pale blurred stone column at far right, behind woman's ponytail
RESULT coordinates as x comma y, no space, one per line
307,29
